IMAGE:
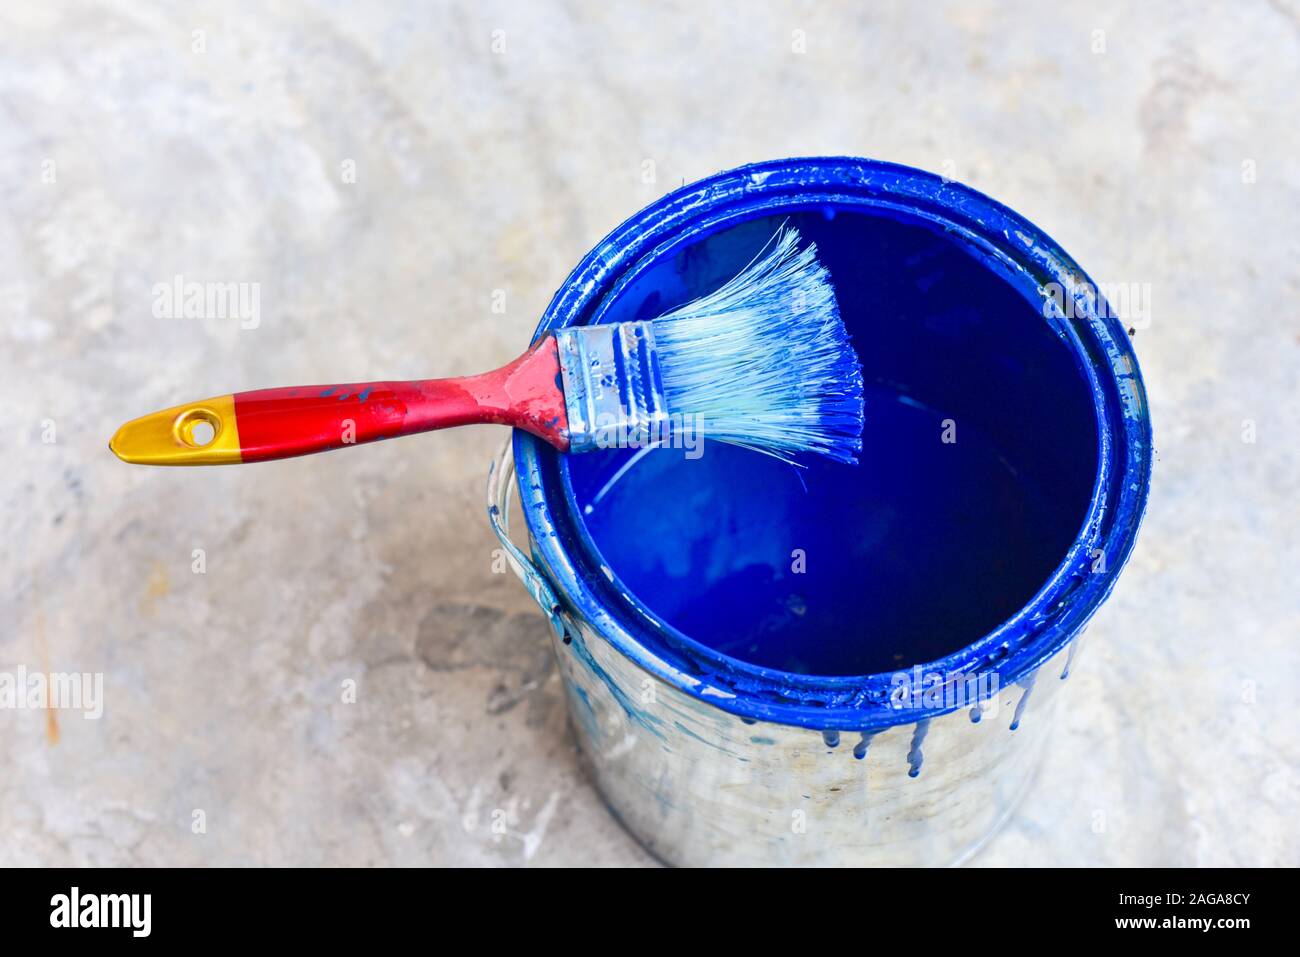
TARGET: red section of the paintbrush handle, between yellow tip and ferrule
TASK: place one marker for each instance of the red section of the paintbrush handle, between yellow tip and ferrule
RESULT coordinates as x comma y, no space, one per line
281,423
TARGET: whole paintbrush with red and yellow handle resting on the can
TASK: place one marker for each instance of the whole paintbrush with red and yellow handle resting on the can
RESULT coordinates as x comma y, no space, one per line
764,362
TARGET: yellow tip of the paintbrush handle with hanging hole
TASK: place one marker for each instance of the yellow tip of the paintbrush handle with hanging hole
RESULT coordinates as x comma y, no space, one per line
197,434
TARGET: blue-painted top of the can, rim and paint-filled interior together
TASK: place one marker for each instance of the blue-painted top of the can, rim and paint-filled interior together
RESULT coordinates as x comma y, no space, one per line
969,557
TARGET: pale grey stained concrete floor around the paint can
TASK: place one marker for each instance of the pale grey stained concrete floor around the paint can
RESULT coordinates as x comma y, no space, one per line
389,174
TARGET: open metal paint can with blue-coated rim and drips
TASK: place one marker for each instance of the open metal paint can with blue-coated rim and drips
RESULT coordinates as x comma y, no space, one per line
842,665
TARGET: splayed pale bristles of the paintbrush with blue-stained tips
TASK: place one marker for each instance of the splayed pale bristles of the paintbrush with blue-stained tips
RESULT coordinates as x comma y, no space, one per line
765,362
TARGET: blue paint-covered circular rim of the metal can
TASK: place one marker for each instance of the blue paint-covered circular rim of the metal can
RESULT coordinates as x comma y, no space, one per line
1026,258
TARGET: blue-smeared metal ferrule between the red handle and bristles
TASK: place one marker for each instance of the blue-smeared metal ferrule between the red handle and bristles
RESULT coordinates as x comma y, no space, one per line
613,386
